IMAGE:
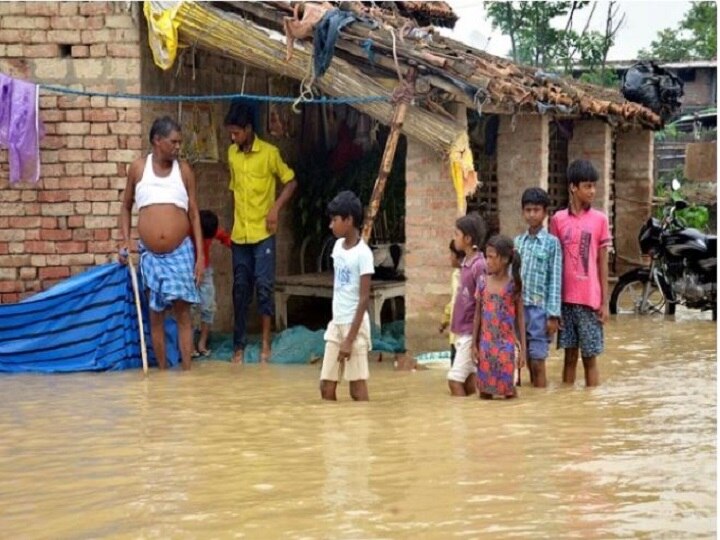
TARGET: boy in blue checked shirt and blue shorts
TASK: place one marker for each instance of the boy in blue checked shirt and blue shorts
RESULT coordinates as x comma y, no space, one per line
541,273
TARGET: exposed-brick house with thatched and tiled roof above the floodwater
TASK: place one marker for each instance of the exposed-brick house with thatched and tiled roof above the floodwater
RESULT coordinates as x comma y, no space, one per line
68,221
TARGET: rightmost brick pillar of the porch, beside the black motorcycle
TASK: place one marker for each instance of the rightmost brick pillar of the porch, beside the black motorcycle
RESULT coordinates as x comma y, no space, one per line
633,193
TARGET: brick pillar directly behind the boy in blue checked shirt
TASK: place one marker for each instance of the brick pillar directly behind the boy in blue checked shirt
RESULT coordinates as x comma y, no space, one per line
523,162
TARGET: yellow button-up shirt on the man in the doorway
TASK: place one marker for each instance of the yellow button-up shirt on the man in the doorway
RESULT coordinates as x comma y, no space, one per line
253,181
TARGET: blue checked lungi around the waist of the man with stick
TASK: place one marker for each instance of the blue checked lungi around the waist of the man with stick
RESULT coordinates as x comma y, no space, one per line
169,276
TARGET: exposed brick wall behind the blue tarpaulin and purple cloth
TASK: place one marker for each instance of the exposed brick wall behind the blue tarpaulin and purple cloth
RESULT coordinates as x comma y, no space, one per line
68,221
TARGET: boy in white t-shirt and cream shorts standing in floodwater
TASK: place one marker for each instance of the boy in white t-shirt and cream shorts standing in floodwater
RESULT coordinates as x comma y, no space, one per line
347,338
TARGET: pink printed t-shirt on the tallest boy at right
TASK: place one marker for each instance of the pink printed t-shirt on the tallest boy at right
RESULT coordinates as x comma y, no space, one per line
581,237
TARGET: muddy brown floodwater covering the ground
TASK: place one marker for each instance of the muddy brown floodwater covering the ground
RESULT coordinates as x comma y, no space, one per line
251,452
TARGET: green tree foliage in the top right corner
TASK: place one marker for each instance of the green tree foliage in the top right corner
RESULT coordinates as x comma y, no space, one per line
694,37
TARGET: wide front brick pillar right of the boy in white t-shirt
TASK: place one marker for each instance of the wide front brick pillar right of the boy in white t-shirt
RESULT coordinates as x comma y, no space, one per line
429,226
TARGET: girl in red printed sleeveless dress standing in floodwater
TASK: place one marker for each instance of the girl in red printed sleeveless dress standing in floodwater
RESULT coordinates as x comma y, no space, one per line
499,312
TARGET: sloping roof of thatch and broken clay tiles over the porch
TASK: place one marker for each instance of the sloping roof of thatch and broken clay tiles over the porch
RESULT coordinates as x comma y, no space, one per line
236,36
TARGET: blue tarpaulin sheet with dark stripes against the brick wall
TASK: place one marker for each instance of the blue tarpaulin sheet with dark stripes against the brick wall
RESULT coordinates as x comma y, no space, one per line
85,323
